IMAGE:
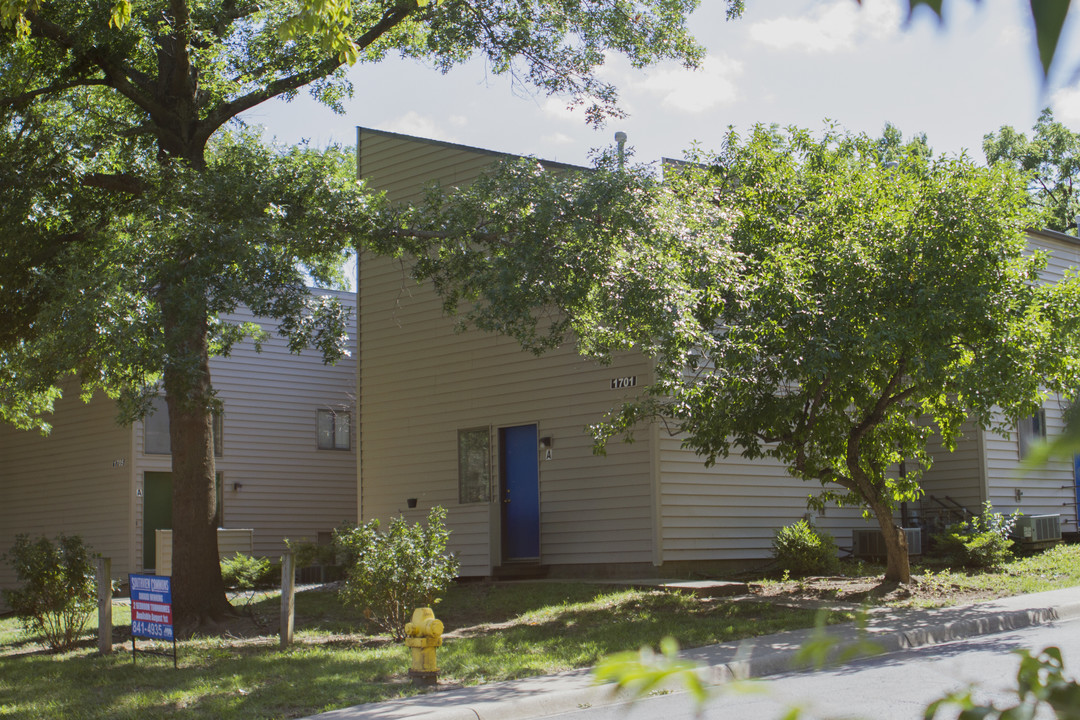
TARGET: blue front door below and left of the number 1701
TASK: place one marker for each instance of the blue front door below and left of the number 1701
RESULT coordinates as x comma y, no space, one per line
521,493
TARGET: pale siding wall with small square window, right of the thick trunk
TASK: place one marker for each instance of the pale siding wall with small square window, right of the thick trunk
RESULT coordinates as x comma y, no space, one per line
289,487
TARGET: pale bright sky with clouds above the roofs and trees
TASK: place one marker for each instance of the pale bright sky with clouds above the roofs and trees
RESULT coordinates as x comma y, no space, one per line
787,62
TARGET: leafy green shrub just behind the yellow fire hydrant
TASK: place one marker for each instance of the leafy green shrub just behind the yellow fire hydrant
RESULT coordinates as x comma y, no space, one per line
397,572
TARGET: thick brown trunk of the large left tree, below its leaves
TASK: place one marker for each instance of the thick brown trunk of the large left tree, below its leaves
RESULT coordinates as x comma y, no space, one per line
199,599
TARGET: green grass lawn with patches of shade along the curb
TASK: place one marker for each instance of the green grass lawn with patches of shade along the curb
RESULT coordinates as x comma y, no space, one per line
495,632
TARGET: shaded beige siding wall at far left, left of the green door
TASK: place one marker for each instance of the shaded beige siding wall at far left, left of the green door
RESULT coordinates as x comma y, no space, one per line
76,481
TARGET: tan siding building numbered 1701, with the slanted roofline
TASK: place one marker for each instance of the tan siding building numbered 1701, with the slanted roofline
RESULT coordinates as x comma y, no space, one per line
651,507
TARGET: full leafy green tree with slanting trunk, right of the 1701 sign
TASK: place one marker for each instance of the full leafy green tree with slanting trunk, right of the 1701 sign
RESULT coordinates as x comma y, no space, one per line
801,300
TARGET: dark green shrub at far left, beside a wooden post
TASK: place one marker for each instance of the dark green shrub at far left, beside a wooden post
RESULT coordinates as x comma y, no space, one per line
59,593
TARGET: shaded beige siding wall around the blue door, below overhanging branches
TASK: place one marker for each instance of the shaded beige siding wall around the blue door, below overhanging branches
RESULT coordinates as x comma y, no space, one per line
423,383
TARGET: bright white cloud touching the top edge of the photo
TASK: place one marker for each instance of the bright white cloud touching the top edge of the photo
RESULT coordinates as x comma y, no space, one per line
831,28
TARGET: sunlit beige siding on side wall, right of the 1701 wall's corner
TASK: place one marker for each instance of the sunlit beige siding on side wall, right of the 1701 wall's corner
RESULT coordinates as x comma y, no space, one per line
732,510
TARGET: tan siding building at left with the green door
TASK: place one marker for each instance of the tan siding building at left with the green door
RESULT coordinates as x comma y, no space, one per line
97,479
